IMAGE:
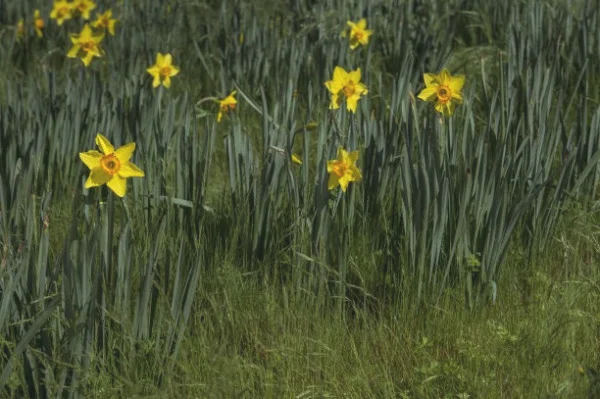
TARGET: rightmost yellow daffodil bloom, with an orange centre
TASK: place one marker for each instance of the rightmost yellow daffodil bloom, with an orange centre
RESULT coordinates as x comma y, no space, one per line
444,90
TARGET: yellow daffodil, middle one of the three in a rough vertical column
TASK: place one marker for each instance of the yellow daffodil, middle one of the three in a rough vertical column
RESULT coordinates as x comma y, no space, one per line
345,85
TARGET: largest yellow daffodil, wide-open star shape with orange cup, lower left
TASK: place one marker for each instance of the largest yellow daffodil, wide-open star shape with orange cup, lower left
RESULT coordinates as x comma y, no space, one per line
111,167
